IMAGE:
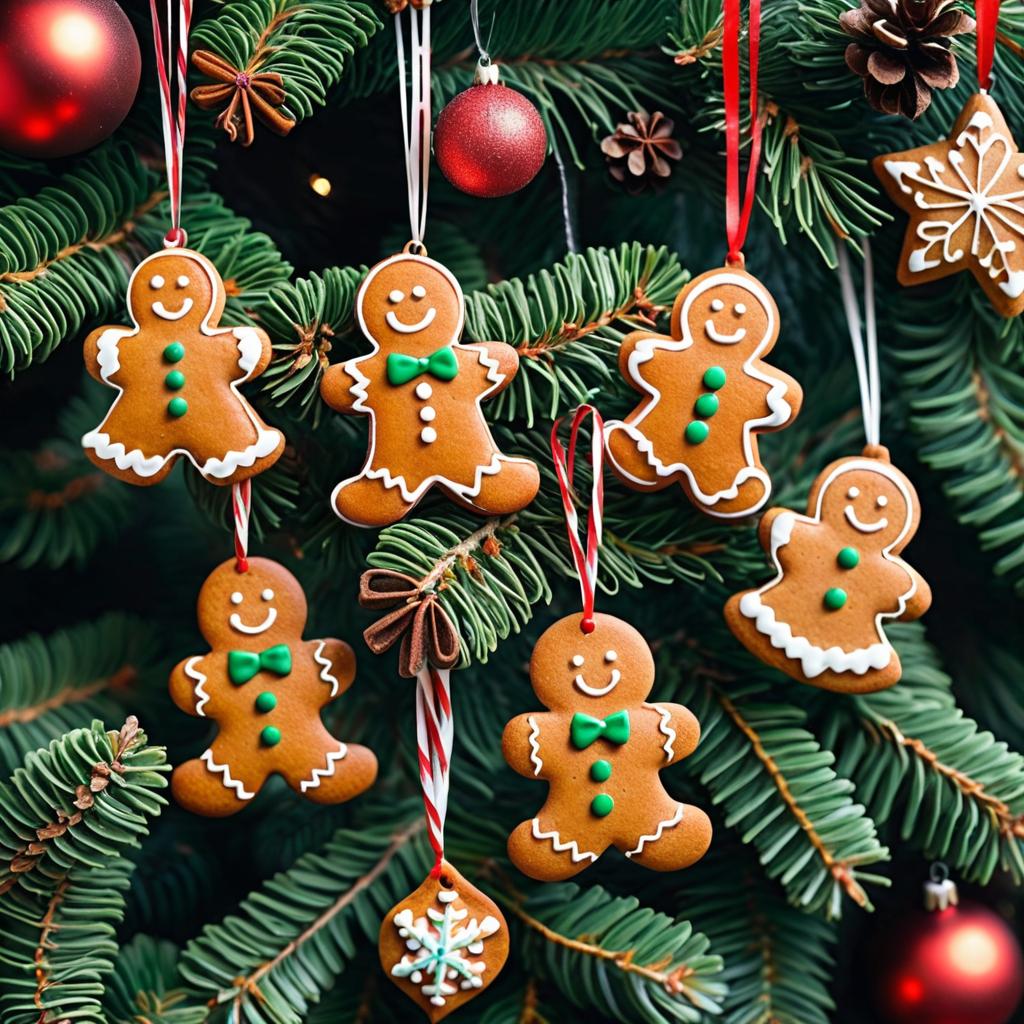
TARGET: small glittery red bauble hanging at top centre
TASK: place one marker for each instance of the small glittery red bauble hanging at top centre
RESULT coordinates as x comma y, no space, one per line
490,141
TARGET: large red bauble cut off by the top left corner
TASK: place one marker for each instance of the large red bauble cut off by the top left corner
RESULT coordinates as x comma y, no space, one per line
69,74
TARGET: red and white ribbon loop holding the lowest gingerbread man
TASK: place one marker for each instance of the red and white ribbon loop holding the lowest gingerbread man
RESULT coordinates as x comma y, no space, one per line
585,561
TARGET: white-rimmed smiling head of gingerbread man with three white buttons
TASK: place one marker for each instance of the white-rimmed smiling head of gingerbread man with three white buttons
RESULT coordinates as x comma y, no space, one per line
411,304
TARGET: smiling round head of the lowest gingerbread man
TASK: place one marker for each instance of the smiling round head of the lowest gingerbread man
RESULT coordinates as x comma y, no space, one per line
572,670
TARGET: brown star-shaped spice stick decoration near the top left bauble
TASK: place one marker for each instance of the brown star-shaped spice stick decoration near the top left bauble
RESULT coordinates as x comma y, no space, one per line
262,93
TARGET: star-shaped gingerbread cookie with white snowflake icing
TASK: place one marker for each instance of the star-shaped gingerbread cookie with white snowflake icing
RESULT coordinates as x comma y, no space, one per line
965,196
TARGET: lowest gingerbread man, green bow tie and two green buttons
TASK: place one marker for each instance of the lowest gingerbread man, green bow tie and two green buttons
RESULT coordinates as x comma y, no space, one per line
601,747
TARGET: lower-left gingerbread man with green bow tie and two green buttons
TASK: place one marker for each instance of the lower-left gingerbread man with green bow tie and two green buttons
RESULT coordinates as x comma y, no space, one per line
265,687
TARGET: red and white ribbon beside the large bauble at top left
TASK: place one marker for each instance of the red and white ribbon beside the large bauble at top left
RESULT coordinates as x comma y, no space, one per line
173,115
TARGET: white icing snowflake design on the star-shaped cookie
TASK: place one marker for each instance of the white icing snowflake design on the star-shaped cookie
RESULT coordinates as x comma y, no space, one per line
967,194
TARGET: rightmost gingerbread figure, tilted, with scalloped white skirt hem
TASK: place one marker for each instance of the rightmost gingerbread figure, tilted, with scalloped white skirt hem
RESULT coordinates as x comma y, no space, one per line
839,579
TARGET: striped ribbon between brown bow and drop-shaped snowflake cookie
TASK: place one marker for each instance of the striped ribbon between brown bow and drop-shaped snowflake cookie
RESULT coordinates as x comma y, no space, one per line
435,735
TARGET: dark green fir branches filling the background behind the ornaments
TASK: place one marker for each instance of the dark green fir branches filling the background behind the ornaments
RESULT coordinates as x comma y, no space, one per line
822,803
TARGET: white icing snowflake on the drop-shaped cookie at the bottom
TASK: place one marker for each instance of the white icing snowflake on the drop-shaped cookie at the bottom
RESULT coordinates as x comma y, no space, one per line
445,949
